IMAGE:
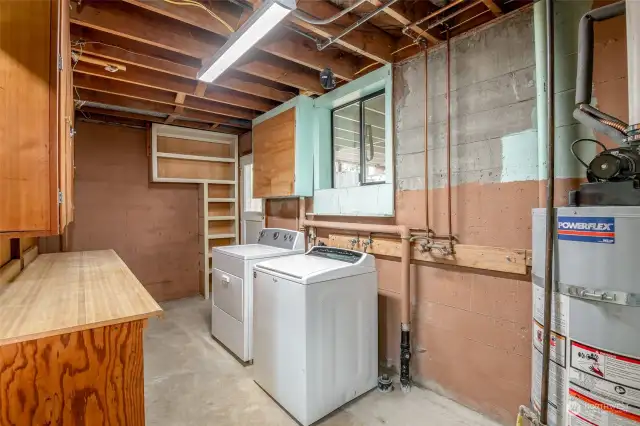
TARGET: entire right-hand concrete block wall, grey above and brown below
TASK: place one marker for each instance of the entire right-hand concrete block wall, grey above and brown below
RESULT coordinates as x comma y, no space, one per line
471,329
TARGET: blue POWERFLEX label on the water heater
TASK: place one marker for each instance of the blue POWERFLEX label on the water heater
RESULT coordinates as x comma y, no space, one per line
587,229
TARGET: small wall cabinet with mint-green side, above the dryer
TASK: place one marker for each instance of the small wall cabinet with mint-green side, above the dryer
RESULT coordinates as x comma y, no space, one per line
283,151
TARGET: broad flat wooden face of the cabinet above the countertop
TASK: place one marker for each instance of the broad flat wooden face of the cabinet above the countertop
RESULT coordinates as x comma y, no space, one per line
26,145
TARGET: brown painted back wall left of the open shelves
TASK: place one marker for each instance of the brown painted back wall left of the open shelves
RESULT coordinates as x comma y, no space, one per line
152,226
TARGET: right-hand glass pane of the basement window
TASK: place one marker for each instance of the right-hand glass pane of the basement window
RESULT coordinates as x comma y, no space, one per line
374,142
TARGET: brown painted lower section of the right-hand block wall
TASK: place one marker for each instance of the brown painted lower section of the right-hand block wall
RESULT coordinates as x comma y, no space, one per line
471,329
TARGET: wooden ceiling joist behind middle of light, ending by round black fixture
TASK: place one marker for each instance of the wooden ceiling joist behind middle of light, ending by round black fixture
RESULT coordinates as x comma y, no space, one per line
281,42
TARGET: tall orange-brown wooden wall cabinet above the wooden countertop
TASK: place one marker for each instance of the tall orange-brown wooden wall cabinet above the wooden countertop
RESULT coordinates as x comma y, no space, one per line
36,118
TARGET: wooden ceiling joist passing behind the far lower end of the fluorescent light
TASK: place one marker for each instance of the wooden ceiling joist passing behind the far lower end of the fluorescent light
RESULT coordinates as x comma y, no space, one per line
125,51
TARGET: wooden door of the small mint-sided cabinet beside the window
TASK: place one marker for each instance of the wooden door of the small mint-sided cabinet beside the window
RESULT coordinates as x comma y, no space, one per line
274,156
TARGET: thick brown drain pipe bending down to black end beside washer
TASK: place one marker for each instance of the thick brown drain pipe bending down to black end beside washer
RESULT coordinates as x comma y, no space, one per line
405,278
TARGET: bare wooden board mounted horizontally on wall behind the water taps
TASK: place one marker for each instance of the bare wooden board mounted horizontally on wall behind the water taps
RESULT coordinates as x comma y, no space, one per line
515,261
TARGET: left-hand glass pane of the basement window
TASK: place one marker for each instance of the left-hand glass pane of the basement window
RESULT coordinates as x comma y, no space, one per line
346,146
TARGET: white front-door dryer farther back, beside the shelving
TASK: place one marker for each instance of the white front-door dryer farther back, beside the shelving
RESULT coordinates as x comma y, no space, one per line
232,279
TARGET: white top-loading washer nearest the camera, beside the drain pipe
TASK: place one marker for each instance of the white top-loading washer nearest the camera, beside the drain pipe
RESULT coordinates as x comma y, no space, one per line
315,341
